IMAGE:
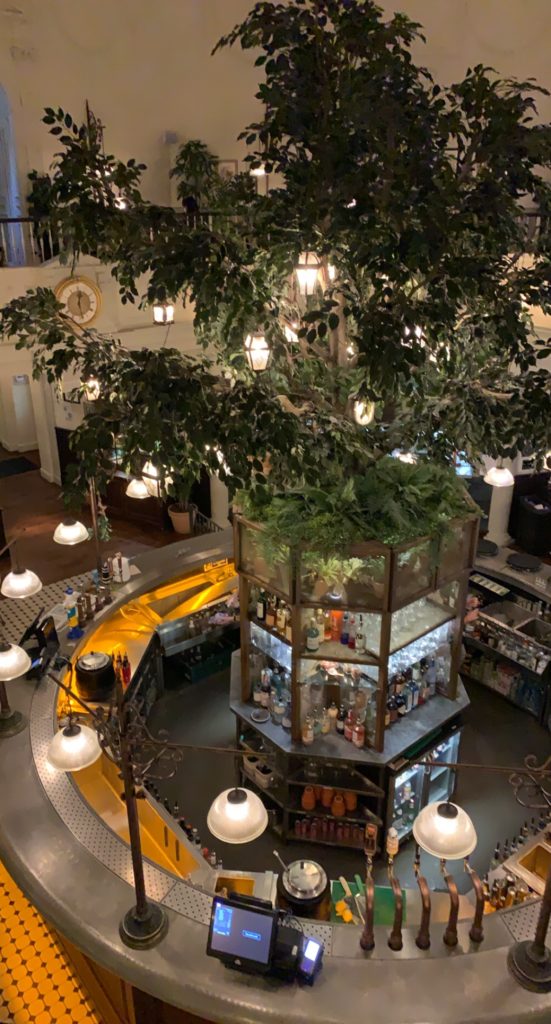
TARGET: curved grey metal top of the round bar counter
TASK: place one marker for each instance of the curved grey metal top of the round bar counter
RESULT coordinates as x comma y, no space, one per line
77,872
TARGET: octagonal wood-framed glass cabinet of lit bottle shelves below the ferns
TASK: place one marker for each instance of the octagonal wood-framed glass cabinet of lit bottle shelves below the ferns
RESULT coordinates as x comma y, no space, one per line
350,646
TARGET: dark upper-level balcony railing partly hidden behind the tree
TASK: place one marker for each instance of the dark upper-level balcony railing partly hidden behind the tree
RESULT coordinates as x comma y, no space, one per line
26,242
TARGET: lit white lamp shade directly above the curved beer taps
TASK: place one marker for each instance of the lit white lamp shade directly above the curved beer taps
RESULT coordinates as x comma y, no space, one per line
445,831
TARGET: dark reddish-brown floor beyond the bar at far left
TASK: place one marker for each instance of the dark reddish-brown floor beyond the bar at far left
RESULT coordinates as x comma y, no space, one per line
33,505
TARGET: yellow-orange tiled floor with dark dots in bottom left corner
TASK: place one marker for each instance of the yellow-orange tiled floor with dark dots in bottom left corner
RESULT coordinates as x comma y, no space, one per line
38,985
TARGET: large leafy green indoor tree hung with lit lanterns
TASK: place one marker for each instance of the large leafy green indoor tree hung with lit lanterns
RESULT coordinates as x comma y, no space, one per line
409,196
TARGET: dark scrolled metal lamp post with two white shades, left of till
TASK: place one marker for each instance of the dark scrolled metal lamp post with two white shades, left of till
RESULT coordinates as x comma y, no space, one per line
236,817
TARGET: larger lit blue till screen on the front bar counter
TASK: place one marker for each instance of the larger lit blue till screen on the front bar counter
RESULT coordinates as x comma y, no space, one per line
240,933
